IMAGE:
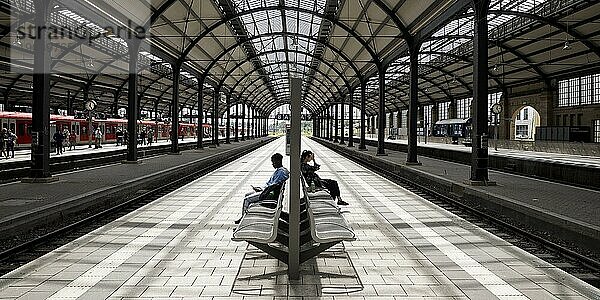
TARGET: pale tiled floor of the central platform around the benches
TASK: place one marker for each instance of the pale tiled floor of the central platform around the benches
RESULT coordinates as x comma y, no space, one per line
179,248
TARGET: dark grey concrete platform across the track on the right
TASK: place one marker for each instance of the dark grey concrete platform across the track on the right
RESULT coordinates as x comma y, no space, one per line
566,211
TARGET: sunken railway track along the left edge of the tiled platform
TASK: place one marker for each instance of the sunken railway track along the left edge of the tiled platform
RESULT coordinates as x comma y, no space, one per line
27,251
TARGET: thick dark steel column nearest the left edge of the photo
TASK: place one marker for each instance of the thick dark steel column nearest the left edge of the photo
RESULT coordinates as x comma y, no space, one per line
40,146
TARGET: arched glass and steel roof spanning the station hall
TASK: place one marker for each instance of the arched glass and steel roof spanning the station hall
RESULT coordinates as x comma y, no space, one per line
250,48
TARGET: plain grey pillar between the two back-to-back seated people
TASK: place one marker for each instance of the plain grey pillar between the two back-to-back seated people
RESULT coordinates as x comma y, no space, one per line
294,184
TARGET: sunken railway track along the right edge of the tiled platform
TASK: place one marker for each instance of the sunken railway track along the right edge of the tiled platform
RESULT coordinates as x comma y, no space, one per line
557,253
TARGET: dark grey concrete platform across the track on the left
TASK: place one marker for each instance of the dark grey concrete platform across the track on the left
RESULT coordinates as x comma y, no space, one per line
24,206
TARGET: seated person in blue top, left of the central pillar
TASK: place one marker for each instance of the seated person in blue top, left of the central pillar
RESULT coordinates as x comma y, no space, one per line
271,189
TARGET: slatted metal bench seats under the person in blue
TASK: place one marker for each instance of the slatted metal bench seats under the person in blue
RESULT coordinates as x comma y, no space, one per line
260,223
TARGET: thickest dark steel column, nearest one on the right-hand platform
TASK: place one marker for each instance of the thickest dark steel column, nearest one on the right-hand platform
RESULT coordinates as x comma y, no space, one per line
479,156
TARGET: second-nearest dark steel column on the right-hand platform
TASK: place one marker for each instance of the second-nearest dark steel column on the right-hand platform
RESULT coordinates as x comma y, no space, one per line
411,158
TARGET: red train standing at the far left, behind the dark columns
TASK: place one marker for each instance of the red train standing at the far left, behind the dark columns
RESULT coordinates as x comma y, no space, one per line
20,124
